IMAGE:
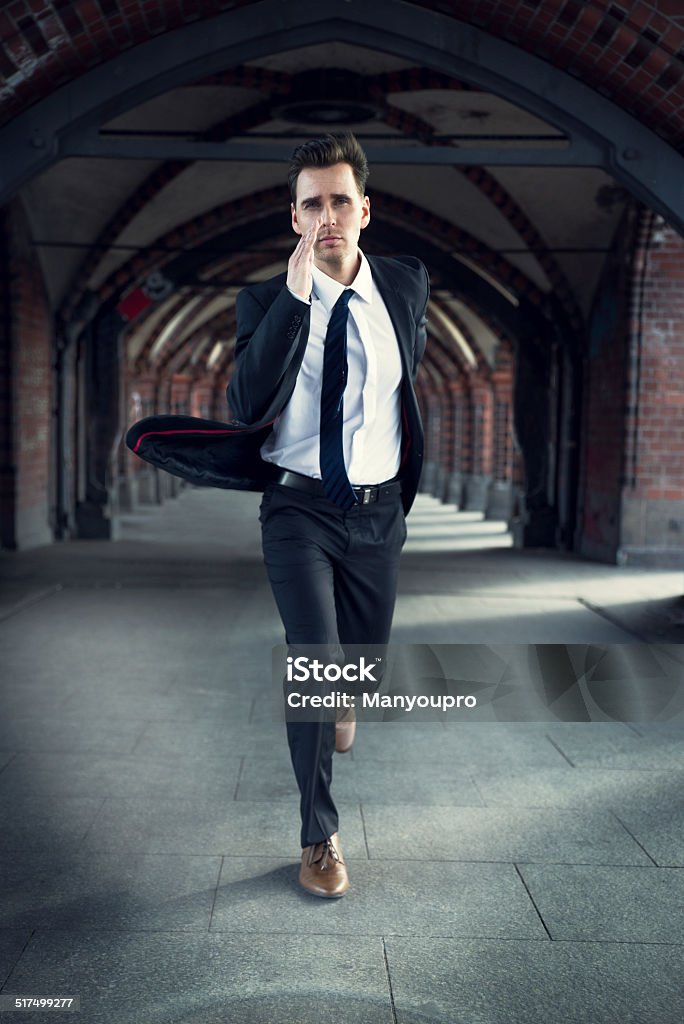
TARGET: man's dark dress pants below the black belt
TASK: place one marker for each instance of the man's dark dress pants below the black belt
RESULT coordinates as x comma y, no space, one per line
334,577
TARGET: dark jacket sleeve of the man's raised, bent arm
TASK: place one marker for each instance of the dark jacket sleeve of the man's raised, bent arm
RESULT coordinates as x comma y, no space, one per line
267,342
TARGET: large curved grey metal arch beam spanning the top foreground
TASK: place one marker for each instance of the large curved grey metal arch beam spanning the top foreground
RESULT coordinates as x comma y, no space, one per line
652,169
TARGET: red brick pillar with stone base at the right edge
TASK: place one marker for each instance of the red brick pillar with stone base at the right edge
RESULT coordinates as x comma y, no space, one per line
632,482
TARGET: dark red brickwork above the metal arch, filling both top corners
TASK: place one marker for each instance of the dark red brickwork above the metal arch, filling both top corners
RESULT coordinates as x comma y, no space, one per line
628,52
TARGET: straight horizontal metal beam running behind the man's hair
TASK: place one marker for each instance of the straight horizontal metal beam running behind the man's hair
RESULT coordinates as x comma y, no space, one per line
91,144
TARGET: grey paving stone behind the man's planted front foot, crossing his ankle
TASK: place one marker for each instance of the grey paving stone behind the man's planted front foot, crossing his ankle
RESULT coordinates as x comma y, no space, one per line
210,827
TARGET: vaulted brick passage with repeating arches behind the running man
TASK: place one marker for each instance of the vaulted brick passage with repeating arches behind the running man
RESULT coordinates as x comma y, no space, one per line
536,184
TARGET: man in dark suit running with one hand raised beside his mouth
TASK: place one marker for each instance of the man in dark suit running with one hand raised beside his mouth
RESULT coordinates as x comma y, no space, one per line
328,426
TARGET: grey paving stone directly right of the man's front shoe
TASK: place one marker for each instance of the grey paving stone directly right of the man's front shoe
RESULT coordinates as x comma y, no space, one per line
558,836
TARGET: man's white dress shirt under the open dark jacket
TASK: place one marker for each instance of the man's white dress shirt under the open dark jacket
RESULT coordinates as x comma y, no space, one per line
372,430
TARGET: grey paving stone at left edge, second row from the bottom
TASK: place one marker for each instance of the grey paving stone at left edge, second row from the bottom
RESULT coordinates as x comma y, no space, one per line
106,891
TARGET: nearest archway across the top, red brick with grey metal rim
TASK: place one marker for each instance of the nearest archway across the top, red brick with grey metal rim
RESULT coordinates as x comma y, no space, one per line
560,65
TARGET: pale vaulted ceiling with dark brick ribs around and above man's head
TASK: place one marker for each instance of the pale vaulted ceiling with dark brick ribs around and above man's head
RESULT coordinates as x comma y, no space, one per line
91,218
